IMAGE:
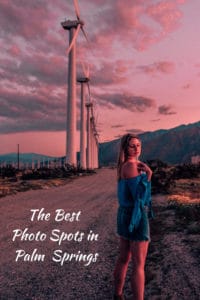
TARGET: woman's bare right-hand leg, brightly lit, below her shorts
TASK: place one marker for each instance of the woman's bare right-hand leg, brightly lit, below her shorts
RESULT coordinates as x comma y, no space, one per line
139,253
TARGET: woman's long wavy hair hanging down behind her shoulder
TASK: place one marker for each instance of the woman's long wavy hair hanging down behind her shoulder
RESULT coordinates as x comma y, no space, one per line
123,151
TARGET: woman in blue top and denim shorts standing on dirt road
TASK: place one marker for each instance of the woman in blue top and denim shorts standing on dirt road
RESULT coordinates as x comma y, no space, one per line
134,196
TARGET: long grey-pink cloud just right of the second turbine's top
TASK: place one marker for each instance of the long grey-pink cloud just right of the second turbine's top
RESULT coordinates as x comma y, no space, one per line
126,101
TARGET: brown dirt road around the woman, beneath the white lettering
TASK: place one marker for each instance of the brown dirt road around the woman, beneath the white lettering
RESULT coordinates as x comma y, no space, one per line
61,244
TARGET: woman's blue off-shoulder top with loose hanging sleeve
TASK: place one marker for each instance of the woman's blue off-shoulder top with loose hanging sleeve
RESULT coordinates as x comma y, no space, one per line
135,192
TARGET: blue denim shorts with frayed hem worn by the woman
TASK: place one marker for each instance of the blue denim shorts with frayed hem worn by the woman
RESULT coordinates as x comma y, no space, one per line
142,233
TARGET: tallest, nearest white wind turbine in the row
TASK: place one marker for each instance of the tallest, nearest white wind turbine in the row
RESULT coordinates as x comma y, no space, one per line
74,28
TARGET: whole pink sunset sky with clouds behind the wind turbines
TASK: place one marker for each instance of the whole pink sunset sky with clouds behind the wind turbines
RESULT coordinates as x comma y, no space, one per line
144,61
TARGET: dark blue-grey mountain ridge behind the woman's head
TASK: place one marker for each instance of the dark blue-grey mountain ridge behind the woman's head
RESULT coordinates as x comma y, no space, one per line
174,146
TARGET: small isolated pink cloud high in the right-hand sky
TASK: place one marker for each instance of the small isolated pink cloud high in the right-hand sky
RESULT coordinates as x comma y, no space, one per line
164,67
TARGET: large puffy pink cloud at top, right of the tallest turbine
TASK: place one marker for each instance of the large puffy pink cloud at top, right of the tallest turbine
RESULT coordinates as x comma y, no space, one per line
141,23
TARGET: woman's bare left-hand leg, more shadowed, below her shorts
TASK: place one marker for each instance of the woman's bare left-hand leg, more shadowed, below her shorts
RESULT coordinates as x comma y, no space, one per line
121,266
